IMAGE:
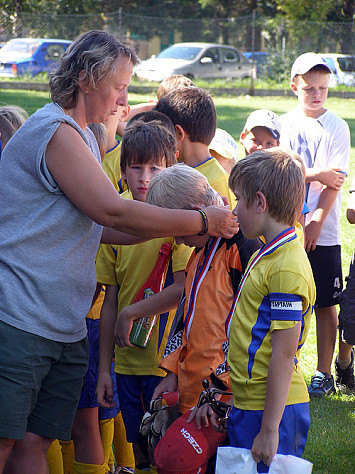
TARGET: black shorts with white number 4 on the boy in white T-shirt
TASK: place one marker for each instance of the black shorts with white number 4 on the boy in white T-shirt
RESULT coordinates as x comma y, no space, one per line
326,266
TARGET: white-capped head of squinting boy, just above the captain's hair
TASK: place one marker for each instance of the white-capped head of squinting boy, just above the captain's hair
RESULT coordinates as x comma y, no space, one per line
261,131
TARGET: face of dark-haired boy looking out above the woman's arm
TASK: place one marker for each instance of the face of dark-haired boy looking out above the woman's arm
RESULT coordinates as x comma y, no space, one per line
138,177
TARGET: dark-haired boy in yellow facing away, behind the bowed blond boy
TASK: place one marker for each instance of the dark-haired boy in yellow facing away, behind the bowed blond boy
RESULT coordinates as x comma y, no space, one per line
192,111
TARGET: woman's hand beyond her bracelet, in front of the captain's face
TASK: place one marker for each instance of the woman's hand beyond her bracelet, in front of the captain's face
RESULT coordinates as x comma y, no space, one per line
221,222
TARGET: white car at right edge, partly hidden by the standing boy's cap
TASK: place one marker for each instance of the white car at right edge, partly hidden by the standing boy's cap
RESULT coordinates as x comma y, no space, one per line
343,67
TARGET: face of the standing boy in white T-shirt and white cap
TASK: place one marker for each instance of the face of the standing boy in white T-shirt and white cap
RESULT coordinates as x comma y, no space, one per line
312,90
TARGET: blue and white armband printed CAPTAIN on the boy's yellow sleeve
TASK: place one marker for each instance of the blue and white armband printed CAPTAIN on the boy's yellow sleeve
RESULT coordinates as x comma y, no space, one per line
285,307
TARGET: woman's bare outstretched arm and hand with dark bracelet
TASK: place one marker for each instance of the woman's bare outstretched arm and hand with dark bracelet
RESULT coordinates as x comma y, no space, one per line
82,179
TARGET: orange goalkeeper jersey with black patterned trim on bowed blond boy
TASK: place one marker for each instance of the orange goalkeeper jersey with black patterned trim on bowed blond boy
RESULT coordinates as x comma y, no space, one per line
201,346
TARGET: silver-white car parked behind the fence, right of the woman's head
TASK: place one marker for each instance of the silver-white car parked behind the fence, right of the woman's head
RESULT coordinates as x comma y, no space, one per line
196,61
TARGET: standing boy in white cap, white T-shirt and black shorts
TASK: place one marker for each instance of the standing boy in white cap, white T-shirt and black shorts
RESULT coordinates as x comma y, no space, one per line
322,139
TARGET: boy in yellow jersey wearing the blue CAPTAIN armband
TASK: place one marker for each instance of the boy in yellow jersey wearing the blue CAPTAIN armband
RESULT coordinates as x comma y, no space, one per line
270,317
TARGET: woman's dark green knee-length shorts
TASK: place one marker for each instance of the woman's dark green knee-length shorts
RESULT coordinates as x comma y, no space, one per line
40,383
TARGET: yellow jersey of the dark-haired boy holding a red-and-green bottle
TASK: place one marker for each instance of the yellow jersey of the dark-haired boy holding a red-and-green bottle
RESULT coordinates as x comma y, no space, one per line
129,266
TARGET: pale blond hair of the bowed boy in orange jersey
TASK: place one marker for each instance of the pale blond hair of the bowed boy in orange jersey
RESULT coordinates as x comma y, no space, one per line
182,187
